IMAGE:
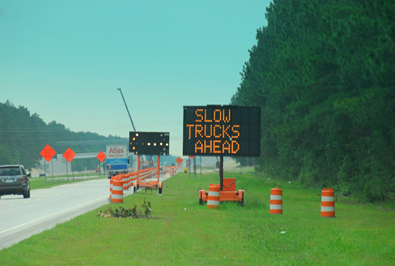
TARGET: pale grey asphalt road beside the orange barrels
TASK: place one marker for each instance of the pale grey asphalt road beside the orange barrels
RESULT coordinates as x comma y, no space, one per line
21,218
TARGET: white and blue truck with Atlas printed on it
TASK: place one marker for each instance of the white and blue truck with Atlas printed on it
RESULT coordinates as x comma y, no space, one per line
116,160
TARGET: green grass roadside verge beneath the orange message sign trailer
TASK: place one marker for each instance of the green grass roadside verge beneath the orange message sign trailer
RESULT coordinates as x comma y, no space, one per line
232,235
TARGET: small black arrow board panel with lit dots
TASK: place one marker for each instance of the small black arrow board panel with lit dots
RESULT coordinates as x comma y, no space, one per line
149,143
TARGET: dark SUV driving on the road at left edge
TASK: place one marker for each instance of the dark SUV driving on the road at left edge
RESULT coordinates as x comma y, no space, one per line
14,179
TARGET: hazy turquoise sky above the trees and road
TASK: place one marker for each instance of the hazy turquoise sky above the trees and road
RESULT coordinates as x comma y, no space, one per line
64,60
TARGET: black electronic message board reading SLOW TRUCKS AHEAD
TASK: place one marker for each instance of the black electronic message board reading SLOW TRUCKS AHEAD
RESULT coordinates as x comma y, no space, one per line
222,130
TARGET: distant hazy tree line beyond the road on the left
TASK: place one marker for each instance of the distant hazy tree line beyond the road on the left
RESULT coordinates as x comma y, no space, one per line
23,136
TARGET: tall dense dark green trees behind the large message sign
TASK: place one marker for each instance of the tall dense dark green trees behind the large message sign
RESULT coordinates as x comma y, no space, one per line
324,74
